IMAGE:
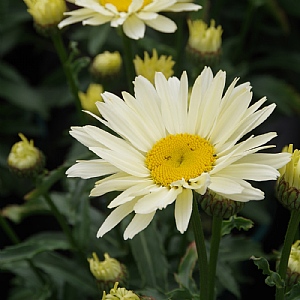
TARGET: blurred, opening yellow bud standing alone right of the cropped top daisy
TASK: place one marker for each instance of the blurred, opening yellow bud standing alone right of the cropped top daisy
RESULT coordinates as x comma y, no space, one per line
204,44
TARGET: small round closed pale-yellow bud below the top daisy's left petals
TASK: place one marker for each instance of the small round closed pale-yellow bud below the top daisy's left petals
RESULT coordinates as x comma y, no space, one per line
106,64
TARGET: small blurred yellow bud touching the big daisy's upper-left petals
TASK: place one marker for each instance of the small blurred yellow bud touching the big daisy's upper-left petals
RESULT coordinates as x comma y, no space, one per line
93,94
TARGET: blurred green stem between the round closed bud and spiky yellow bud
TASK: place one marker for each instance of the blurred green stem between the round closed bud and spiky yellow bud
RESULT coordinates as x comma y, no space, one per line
128,60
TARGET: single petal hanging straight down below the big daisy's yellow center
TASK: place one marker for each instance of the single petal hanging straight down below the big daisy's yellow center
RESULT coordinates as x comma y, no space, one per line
183,209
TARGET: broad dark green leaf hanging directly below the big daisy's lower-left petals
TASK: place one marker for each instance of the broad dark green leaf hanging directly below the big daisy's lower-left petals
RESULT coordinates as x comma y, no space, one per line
149,255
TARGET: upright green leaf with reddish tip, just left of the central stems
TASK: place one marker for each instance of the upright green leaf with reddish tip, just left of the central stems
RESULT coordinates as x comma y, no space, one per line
186,267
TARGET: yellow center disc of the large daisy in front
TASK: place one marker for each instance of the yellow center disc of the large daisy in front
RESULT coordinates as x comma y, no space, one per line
180,156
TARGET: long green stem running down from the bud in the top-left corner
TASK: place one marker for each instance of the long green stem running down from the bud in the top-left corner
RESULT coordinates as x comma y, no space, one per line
63,57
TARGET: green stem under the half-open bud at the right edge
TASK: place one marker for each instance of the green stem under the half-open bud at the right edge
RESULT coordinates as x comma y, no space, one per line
286,250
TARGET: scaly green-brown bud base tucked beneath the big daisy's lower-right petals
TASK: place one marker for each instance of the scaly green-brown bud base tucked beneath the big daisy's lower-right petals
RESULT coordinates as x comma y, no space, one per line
216,205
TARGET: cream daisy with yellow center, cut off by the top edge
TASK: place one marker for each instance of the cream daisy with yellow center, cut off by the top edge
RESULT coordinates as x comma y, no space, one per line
132,15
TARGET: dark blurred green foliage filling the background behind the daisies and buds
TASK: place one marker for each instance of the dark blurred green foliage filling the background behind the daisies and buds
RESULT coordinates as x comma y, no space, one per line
260,45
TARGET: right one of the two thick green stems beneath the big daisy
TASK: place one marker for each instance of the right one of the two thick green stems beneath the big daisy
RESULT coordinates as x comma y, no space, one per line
213,257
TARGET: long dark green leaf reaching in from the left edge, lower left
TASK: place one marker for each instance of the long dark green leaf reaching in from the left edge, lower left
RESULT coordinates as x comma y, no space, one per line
38,243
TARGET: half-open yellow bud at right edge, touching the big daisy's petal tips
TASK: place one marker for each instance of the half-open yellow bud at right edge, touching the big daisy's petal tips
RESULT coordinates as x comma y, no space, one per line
288,184
